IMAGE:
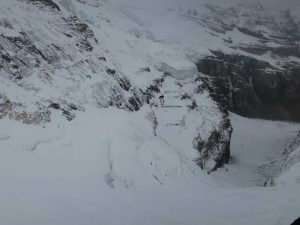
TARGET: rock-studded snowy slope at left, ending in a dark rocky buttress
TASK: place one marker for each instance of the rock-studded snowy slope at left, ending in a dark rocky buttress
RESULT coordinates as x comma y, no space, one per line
102,63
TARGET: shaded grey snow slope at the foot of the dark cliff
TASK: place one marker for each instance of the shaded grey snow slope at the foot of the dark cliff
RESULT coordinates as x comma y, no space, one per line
257,151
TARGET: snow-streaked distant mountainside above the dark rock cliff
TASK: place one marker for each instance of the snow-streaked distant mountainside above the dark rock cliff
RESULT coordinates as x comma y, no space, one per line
252,28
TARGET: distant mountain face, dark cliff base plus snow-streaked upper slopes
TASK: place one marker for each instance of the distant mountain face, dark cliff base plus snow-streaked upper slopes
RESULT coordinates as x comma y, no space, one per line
260,78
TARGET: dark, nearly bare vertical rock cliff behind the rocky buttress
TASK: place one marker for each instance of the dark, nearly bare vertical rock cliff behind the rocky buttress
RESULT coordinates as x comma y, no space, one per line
253,88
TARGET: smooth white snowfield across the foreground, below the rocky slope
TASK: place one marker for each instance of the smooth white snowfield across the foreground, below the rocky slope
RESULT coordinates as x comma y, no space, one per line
113,170
